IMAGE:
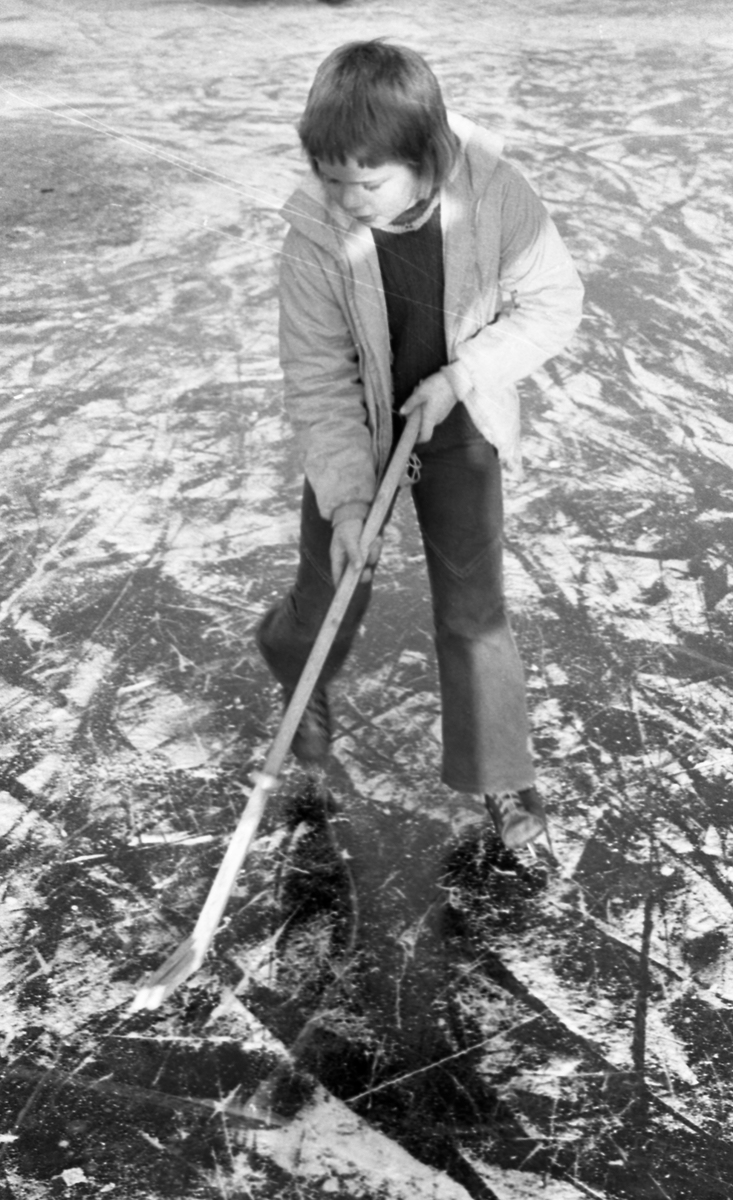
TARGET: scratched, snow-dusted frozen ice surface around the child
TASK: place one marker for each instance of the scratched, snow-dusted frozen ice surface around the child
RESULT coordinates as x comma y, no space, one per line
574,1043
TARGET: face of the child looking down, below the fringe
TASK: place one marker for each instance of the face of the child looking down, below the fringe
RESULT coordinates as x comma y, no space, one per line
371,195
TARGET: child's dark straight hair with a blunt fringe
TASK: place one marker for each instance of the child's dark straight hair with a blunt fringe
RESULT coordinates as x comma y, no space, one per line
375,103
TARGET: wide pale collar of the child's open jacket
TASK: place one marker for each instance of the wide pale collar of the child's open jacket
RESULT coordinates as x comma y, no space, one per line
310,212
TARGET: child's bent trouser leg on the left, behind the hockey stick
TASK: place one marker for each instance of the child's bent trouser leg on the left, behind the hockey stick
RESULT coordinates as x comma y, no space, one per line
290,629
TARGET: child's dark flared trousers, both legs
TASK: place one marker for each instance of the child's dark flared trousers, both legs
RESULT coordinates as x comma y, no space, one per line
460,511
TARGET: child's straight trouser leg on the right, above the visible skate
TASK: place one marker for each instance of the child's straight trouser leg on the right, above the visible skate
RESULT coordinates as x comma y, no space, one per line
460,508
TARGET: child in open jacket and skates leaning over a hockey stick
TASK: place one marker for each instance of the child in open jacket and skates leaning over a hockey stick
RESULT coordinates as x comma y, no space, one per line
420,272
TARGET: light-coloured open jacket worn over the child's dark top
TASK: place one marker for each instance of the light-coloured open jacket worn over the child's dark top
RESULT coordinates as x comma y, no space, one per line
513,299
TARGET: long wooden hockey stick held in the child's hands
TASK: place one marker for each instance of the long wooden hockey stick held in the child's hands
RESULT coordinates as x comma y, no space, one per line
191,953
